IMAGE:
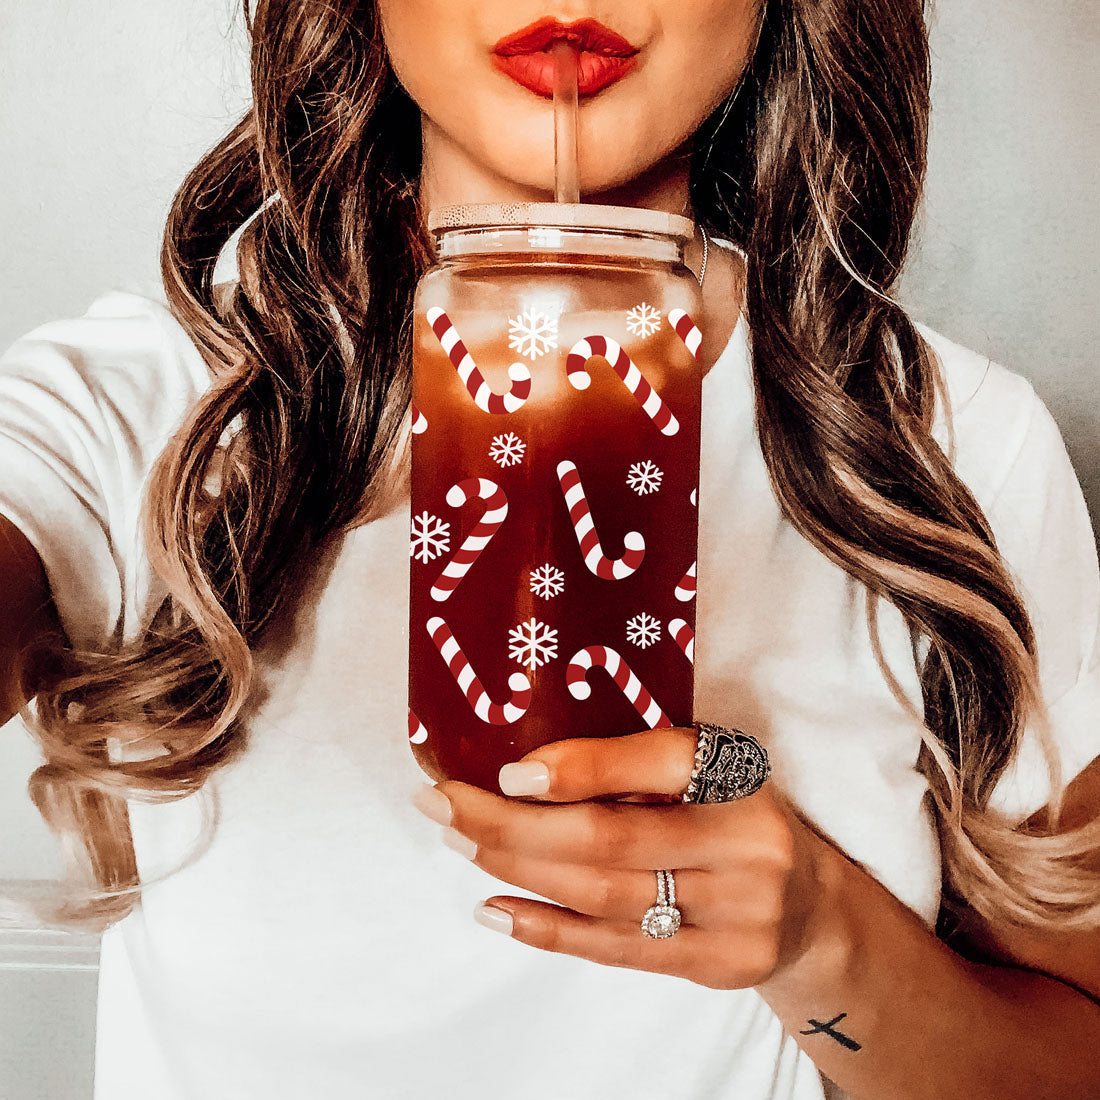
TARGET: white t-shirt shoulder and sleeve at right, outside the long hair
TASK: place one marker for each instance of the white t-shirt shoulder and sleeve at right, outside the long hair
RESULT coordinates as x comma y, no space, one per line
1008,449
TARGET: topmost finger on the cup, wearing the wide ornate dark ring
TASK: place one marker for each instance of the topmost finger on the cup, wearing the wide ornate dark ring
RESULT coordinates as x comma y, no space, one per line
654,762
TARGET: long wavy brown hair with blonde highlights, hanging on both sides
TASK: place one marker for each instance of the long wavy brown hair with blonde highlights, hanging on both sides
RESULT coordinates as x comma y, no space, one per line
815,166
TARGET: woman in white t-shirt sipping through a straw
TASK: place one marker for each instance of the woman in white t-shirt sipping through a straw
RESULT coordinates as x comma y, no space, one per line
899,597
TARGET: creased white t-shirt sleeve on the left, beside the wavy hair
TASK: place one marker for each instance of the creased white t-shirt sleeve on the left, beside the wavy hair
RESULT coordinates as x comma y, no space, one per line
86,406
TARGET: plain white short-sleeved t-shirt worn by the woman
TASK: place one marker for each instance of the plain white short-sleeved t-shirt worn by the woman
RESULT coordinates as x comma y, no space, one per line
324,944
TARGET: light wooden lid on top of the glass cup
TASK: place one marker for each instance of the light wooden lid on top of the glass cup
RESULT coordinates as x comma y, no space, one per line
577,216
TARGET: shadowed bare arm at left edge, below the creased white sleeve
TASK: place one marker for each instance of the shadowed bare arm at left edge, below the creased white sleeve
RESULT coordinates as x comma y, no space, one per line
27,613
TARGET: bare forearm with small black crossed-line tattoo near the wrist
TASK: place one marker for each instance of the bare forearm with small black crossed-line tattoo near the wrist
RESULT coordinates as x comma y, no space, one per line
887,1010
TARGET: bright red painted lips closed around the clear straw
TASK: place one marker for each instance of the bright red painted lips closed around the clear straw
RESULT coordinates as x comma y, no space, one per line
603,57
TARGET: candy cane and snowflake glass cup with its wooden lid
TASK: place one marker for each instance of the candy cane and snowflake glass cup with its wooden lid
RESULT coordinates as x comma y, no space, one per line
555,468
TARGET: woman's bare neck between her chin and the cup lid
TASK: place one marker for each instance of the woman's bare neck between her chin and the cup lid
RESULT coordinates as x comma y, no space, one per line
450,177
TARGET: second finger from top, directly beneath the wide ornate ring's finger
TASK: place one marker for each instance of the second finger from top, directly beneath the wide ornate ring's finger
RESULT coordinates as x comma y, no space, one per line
609,834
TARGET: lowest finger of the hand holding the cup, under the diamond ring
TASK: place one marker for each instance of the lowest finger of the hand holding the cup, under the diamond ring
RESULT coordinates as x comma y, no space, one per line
727,963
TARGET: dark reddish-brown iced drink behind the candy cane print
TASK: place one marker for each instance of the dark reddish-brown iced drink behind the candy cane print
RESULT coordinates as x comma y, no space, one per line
606,433
